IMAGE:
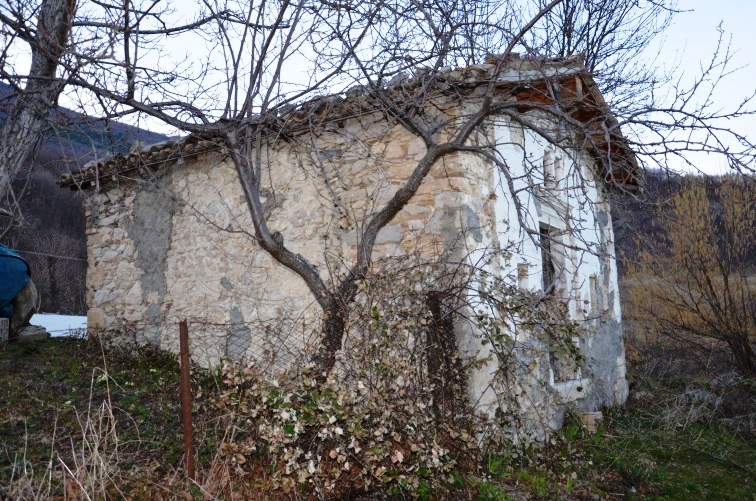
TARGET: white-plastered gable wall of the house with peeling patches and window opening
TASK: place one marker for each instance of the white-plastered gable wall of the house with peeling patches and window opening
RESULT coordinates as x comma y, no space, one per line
573,205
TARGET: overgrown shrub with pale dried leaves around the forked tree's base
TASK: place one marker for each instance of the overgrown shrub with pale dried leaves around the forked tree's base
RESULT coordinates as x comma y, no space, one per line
395,414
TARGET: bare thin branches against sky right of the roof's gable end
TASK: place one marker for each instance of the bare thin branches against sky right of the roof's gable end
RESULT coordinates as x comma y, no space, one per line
670,115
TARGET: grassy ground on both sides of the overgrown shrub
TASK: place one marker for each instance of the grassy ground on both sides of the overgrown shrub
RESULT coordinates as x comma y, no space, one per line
72,410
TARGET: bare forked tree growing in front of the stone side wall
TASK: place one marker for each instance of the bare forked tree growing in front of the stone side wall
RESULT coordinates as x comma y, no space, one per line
377,42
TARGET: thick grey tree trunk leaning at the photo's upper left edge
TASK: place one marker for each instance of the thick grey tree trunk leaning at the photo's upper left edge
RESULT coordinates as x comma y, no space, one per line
27,119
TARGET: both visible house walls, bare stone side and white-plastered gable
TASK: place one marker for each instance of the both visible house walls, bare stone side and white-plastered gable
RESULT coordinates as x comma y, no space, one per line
177,243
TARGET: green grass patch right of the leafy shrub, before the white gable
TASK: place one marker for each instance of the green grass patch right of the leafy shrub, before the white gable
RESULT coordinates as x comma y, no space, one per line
639,452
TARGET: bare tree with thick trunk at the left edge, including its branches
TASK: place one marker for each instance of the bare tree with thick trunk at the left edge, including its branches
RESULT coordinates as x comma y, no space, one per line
67,40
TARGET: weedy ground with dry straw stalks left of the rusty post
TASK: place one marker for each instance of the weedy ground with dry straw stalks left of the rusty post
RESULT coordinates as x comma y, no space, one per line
64,428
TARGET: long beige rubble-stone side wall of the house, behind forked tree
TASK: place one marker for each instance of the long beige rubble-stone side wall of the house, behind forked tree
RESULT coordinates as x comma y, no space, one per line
178,243
